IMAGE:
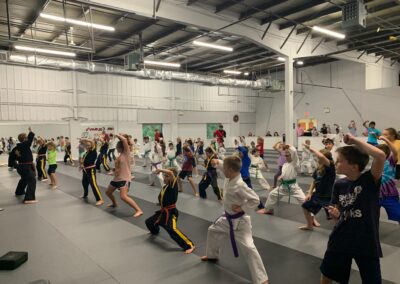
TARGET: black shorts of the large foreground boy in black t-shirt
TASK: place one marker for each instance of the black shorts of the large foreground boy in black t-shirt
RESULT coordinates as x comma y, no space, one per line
337,267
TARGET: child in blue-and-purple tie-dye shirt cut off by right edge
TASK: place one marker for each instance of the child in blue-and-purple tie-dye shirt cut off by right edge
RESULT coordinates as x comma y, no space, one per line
389,197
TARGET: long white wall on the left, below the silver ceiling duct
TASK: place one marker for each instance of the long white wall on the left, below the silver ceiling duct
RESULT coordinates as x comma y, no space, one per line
45,96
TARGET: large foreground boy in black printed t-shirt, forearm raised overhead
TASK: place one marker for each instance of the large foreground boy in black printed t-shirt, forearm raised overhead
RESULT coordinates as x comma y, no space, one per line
356,210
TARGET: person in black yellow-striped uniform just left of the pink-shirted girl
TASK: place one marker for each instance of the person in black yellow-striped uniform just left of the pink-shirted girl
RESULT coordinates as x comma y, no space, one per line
89,171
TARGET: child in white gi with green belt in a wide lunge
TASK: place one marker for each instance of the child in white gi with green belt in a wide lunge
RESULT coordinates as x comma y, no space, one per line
288,186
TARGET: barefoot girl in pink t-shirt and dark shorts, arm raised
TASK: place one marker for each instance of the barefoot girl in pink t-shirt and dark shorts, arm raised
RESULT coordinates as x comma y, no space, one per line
123,177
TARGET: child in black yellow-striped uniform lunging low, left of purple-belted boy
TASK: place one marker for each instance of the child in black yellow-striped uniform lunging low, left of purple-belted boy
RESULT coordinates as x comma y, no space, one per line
167,216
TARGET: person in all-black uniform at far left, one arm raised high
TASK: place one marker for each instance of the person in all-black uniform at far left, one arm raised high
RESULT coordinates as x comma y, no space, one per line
22,155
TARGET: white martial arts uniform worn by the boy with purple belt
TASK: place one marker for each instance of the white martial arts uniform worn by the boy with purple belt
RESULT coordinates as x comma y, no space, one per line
236,192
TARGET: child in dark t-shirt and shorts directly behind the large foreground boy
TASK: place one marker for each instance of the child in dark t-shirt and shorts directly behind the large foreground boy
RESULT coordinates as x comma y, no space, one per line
320,192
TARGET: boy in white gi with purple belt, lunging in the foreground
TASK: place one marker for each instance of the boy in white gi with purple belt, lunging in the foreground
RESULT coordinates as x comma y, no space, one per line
238,199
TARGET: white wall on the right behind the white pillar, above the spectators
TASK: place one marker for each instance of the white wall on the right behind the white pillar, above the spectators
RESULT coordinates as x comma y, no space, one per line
339,86
